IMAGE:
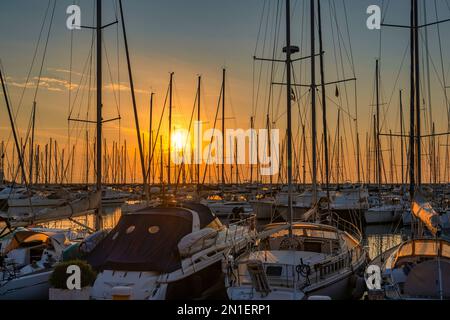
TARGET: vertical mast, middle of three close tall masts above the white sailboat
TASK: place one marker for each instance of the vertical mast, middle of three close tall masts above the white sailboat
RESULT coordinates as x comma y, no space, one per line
313,102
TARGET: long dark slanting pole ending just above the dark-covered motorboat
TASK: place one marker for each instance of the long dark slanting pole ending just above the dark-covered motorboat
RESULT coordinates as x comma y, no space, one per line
133,97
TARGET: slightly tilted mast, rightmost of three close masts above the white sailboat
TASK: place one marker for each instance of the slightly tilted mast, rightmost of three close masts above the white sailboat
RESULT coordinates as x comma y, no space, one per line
324,102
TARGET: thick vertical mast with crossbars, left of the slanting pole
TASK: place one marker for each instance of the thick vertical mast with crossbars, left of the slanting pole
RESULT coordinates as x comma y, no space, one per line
98,220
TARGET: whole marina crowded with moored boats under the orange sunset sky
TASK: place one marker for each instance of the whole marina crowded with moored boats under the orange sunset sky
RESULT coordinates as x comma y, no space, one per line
152,195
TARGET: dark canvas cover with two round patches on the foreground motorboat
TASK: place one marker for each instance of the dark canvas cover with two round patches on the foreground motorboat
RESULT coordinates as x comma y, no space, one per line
145,240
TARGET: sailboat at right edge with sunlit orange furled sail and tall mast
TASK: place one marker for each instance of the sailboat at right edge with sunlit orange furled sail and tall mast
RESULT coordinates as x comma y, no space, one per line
418,268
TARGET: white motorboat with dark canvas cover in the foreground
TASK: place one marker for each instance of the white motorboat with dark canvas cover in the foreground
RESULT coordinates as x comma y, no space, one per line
167,252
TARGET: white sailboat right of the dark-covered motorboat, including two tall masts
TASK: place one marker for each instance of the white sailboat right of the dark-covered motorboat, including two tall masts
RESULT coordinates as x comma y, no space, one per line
300,260
